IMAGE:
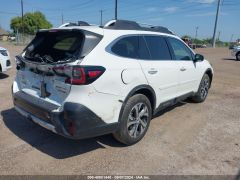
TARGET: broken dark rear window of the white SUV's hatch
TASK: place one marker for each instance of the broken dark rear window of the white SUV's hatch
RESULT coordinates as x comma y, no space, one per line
59,46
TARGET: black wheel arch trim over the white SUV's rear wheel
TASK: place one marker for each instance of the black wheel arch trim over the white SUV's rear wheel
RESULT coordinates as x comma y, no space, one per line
141,89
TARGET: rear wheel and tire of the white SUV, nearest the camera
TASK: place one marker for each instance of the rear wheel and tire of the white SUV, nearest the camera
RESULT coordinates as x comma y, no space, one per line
133,126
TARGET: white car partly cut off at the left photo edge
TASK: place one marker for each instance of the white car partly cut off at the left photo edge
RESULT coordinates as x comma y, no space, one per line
5,62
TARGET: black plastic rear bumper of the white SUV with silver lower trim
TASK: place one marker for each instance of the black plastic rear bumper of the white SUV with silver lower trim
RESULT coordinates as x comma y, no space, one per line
75,121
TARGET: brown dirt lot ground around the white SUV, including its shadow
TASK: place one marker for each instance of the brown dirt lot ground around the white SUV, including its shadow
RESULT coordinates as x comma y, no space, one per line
185,139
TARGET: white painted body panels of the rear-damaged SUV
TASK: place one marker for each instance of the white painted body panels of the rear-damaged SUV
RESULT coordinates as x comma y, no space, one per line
105,95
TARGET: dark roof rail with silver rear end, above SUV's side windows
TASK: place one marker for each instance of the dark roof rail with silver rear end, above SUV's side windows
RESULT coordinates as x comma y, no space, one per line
132,25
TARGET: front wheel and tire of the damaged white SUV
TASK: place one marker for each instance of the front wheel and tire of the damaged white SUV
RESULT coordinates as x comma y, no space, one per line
203,89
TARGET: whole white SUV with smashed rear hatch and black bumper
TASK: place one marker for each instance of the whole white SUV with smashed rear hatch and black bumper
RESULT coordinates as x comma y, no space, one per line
86,81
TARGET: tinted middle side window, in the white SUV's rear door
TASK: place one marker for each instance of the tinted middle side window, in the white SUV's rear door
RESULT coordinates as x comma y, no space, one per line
158,48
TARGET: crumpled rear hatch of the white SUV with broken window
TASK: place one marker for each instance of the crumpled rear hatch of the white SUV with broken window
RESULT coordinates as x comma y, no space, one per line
46,63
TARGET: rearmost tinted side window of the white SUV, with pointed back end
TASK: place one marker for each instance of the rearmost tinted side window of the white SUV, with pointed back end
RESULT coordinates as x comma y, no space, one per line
126,47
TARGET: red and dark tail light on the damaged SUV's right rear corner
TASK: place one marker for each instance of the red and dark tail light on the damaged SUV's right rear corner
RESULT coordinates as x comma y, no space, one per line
79,75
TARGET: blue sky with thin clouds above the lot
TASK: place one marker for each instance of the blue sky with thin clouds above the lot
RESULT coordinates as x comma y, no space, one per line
181,16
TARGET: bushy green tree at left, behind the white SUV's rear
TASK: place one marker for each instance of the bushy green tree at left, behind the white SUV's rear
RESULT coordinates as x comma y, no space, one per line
31,23
